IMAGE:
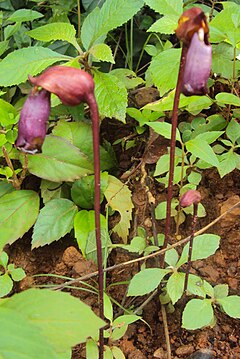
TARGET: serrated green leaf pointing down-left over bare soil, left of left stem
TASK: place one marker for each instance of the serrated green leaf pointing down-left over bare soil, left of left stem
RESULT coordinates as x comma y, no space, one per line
54,222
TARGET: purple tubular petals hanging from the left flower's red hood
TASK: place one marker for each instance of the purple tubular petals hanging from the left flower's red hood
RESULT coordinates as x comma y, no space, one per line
32,125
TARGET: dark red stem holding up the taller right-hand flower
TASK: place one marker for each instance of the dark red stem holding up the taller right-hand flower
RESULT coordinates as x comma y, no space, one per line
173,144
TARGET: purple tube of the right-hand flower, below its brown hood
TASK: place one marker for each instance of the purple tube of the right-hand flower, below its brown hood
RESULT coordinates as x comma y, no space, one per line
198,65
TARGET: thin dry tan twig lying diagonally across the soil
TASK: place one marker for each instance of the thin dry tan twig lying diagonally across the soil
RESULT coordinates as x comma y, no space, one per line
152,255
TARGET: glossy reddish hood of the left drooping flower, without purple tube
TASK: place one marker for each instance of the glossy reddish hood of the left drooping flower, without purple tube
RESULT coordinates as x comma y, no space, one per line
71,85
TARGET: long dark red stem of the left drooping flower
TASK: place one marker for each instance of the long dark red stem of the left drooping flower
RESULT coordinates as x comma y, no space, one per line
96,143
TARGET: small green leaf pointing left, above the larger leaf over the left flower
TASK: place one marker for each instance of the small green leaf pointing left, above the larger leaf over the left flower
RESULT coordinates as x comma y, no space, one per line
55,31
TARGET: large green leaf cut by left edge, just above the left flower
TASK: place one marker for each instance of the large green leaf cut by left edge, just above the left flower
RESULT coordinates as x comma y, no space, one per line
30,60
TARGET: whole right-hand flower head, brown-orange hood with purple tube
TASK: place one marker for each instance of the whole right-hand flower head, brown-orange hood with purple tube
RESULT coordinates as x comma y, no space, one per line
193,31
